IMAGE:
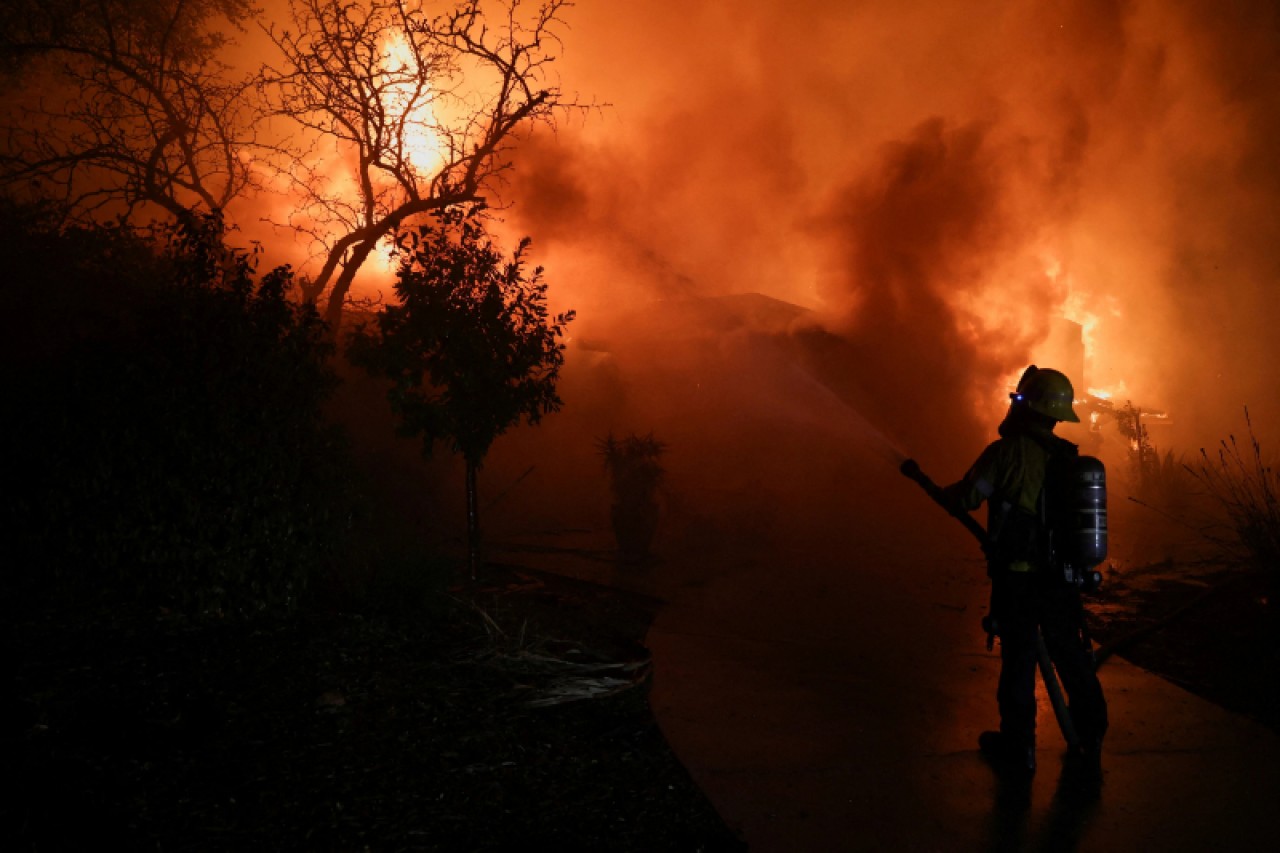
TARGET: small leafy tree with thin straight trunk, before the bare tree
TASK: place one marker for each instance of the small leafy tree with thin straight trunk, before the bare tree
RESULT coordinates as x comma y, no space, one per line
470,348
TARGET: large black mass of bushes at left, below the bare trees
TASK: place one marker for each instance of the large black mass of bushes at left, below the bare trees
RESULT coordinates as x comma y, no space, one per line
167,437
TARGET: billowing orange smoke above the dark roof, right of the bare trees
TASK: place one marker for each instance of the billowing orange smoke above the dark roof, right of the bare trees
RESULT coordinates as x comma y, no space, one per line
941,185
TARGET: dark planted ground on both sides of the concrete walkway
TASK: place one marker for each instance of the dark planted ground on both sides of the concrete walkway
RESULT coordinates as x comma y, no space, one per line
412,729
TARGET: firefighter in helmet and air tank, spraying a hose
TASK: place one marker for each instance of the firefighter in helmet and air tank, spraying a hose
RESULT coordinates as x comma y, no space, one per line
1036,571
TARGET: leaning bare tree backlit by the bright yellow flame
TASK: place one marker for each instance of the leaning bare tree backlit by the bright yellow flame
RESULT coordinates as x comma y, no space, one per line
403,112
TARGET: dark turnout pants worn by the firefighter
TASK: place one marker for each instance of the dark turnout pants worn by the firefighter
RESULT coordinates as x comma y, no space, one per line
1023,603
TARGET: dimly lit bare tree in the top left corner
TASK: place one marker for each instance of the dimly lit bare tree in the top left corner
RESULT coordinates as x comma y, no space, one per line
113,106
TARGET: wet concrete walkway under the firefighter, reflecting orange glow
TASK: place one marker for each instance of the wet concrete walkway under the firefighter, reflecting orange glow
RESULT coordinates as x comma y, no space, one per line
831,704
